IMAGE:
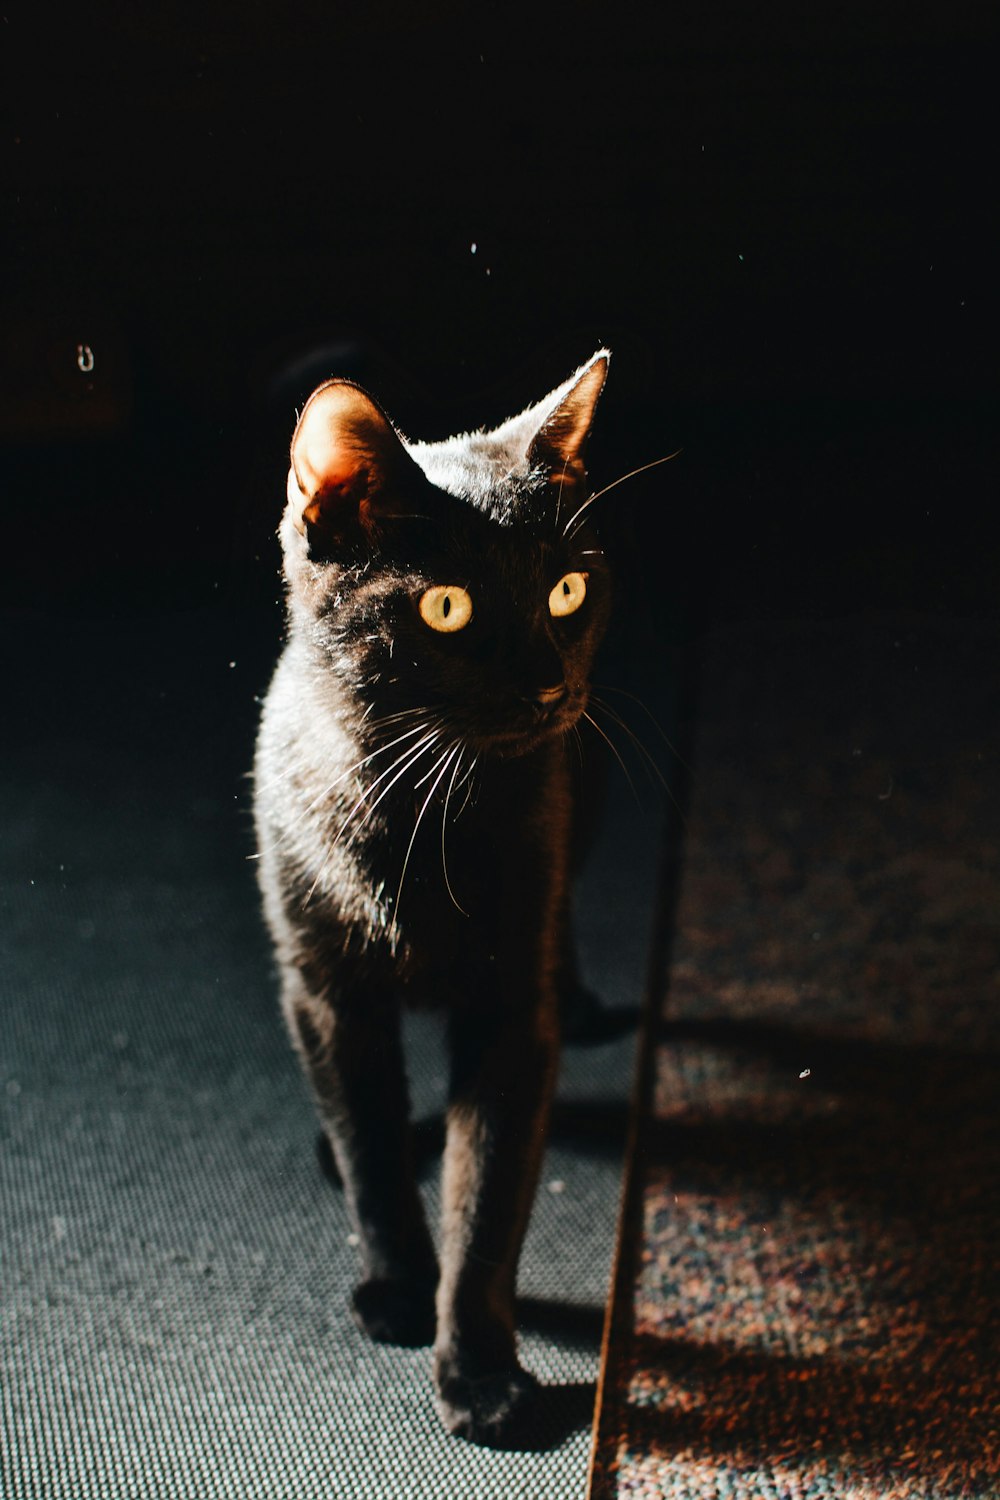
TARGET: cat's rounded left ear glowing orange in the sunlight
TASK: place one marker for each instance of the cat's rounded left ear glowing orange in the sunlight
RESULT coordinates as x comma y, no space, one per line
349,467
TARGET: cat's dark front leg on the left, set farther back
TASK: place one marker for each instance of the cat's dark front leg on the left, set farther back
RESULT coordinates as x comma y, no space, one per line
353,1057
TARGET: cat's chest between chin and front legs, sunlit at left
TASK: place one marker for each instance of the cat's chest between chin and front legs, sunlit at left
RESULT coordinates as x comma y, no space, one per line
425,860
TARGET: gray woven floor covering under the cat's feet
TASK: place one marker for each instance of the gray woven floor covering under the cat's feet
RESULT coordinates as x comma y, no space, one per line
175,1265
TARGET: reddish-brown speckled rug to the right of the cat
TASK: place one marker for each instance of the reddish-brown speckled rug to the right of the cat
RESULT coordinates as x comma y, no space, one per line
812,1307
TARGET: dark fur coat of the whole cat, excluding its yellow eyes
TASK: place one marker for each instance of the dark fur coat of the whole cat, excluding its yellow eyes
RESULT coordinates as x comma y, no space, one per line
377,724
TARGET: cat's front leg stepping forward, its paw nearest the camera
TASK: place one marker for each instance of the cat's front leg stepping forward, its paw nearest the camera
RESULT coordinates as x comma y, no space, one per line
504,1063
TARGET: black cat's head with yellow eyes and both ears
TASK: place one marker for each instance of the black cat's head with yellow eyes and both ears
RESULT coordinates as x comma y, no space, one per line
460,581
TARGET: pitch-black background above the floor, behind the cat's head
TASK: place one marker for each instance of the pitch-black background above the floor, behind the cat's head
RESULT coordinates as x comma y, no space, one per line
779,217
